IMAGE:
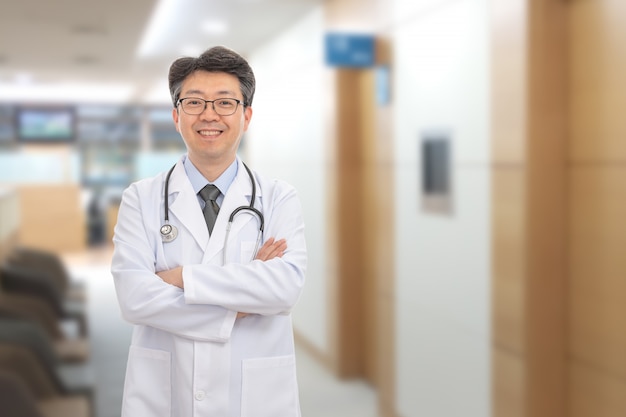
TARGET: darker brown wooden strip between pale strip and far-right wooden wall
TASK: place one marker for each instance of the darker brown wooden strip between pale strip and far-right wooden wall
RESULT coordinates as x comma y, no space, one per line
546,280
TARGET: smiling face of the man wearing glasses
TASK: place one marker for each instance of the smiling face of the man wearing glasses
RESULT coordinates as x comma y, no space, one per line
212,140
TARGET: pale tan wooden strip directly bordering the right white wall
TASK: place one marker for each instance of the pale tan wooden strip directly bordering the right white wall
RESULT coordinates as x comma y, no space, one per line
508,29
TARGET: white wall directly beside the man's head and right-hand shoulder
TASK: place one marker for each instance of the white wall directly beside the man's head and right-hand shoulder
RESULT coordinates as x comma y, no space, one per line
286,140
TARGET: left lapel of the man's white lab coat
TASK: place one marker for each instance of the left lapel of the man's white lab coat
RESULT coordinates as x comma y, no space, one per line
185,207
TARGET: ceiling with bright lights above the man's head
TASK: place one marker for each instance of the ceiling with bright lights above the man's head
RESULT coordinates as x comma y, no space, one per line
88,48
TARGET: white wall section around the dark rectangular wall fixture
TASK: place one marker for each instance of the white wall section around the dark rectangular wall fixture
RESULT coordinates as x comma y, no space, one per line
442,261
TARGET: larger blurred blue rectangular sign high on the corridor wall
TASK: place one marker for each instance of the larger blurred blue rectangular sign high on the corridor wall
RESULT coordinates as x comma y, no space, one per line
350,50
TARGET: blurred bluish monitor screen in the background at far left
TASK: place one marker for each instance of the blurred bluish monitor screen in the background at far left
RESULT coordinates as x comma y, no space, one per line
45,124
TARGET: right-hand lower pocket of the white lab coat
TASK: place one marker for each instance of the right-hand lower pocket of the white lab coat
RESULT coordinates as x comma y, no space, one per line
269,387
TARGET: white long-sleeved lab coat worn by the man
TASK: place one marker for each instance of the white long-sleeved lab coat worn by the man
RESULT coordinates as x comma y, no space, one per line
189,356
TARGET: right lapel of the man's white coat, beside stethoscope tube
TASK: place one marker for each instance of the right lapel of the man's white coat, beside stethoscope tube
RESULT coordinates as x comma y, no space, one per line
238,195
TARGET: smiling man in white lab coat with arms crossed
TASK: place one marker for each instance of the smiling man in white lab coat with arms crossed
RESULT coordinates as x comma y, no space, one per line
212,330
